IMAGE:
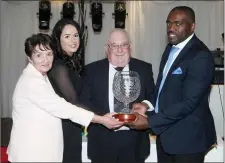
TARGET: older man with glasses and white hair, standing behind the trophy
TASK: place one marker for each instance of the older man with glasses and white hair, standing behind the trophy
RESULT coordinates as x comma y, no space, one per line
121,145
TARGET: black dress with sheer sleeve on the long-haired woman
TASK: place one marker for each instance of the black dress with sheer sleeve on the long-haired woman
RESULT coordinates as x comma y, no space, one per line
67,84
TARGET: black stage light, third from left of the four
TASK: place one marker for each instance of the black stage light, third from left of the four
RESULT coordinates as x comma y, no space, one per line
96,13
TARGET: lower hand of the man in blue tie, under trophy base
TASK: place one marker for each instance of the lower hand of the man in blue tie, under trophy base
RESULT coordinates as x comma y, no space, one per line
141,122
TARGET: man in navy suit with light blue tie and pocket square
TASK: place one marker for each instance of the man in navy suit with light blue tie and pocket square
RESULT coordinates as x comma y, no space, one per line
182,119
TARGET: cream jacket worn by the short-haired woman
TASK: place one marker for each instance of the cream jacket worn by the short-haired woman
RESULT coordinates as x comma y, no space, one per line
36,134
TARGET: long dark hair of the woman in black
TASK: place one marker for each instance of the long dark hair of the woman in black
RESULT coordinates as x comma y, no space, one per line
74,61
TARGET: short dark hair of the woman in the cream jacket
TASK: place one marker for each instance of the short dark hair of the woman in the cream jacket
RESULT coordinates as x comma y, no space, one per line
38,39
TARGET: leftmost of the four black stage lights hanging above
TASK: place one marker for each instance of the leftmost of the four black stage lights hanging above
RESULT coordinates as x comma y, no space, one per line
44,14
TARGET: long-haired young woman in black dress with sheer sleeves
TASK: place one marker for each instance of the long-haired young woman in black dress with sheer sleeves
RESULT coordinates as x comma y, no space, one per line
64,77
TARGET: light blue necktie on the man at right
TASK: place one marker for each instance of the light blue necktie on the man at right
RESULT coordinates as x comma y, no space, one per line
165,71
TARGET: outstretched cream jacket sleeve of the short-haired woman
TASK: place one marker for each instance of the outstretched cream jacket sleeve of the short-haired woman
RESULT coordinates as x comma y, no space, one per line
42,95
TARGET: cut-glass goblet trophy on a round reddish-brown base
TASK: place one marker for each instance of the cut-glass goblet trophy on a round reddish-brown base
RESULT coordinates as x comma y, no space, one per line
126,89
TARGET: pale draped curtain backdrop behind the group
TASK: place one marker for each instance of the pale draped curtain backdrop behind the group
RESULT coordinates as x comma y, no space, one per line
145,23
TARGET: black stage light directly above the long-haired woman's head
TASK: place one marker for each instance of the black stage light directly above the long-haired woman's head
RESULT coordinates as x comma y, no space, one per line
68,10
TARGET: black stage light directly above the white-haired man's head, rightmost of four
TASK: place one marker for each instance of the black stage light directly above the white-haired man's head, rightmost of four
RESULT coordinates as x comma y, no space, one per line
120,14
